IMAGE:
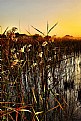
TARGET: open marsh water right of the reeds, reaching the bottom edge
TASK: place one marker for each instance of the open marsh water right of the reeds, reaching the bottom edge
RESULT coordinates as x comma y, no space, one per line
68,74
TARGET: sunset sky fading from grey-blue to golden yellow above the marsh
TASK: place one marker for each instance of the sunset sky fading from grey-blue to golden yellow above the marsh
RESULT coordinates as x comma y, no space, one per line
37,12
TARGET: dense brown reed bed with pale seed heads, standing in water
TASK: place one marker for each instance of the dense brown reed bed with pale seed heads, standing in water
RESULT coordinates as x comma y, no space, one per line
30,84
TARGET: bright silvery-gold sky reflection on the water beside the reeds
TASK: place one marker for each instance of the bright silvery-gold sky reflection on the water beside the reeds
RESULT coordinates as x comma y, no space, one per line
68,73
